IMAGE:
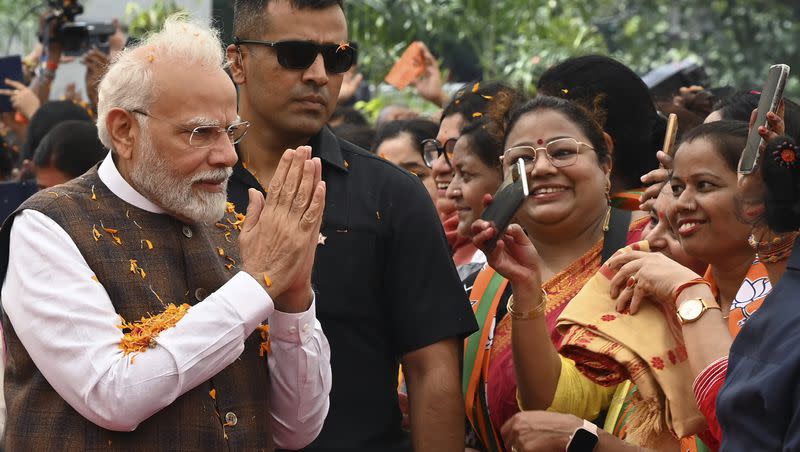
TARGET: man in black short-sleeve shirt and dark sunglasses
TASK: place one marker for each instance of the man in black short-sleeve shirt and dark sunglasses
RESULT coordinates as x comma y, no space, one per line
387,291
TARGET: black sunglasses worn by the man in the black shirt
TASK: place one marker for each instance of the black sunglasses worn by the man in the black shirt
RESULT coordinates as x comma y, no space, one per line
301,54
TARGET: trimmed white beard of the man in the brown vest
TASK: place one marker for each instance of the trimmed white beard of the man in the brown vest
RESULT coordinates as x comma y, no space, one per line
153,178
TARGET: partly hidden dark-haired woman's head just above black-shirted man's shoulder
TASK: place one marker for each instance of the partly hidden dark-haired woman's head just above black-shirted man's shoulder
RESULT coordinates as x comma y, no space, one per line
400,142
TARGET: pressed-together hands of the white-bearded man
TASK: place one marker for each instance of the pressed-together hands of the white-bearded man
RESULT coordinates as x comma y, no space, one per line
280,233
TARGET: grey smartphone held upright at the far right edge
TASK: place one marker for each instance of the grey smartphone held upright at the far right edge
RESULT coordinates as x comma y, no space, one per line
768,102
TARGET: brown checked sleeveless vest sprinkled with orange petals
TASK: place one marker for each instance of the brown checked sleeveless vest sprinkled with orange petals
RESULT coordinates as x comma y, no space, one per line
184,265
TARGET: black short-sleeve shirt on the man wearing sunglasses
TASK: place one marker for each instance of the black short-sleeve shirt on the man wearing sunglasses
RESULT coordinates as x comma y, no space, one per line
385,285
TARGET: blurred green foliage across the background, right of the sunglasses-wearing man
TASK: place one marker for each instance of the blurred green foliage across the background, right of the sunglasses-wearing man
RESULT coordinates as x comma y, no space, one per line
516,40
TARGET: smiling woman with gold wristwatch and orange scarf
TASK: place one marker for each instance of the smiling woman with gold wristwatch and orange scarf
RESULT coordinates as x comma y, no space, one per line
711,309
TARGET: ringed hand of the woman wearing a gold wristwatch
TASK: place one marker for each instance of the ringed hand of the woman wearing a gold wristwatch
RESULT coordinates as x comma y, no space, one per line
646,275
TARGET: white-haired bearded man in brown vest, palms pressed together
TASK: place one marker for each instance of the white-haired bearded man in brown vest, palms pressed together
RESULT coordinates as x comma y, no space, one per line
140,312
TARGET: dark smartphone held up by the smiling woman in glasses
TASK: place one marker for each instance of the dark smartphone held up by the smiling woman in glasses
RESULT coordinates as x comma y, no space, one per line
505,203
